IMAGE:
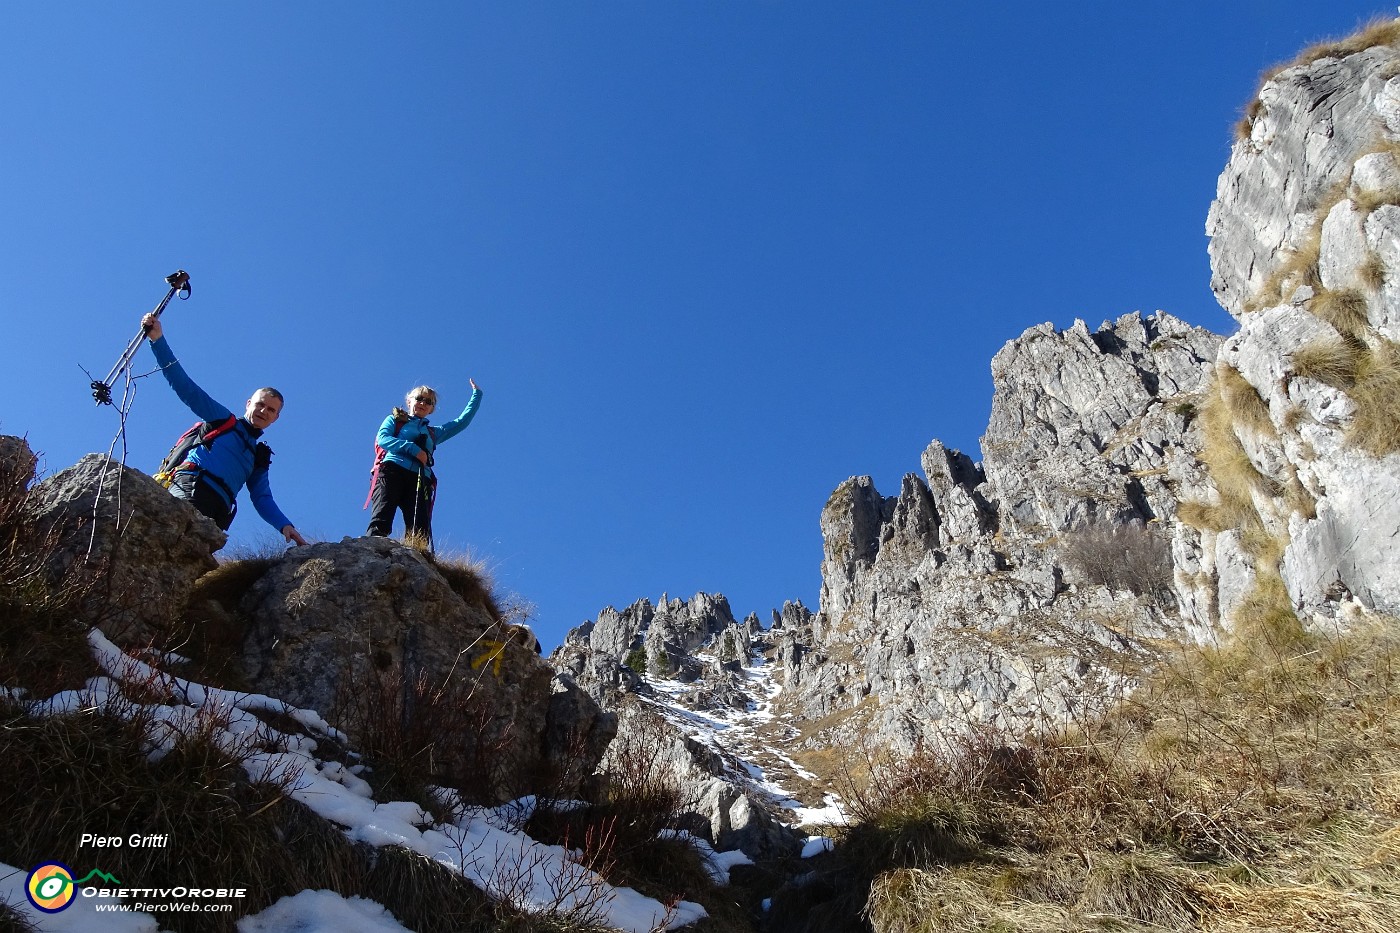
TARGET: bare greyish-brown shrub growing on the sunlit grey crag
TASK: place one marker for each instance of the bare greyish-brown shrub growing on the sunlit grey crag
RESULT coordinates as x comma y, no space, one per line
1135,558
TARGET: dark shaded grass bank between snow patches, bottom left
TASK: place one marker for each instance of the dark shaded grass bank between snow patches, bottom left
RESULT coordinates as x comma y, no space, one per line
96,777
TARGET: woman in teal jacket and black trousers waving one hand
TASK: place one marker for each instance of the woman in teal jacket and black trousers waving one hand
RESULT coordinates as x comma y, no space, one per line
404,480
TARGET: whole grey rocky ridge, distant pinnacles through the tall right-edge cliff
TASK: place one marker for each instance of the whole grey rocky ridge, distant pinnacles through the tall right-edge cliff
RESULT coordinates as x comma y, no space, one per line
1142,483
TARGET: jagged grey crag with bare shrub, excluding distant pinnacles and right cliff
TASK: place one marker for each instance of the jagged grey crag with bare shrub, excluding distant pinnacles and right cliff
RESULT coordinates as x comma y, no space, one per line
969,597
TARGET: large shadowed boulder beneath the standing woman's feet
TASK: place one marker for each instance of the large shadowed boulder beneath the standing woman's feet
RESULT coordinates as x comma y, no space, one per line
372,634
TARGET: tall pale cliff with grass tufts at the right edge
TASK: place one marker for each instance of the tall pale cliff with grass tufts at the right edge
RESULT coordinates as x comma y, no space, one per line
1305,254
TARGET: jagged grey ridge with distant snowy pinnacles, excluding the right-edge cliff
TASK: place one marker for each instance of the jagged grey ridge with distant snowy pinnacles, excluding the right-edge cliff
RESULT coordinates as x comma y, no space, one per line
968,596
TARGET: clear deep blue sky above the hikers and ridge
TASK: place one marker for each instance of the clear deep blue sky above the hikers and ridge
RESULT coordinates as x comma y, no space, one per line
706,258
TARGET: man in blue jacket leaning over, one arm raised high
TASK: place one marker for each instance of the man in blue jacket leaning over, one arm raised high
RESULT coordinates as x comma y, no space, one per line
213,474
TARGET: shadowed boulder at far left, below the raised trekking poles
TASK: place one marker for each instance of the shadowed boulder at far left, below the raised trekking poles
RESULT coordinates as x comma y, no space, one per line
149,546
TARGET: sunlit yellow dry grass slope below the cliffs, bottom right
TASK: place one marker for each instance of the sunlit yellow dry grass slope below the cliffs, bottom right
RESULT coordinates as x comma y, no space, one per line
1254,787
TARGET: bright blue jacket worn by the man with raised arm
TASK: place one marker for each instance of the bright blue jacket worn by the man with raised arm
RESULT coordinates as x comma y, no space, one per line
230,457
